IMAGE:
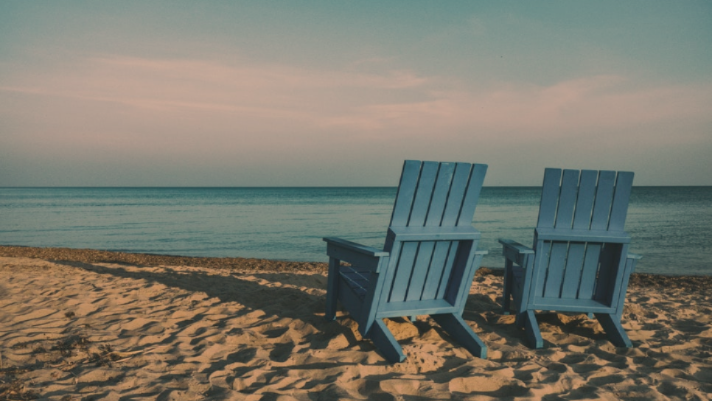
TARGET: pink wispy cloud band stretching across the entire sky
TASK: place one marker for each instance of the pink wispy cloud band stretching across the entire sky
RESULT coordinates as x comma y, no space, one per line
364,101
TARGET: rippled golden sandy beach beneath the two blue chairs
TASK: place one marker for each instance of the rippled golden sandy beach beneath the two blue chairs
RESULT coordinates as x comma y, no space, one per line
81,325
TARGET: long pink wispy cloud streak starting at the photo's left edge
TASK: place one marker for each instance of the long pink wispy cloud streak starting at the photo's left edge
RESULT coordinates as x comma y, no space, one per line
176,85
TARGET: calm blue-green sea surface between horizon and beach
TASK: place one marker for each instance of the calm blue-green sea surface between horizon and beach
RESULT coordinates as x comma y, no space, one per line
670,226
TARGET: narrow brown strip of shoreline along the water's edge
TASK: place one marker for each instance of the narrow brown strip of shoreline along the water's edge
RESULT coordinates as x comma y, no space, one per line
693,282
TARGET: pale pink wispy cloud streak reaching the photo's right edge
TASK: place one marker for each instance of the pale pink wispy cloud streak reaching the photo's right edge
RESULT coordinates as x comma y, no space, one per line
599,102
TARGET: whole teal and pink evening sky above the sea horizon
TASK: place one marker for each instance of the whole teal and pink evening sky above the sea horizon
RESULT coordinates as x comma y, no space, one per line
339,93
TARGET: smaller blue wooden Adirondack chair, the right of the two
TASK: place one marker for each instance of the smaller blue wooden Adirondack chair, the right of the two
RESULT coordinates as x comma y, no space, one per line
580,260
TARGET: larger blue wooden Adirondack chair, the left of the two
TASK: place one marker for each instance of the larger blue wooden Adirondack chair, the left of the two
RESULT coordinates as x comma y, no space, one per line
427,264
